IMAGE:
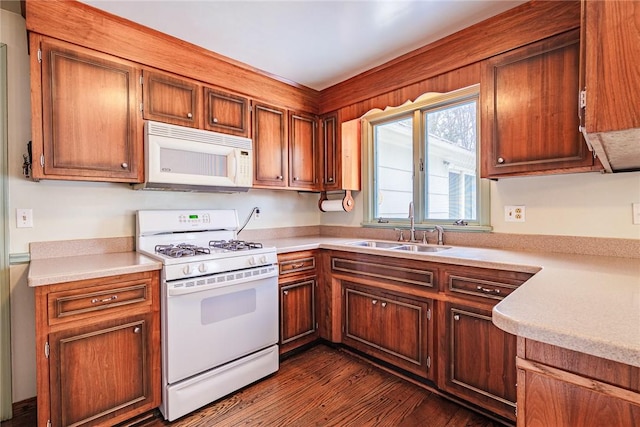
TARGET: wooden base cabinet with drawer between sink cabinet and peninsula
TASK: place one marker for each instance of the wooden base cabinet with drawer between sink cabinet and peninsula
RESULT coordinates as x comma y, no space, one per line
478,358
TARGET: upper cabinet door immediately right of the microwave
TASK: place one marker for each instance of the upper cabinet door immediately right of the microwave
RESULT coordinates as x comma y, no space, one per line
270,145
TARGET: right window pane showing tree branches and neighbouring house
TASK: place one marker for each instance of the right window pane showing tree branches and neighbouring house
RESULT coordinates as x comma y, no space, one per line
451,162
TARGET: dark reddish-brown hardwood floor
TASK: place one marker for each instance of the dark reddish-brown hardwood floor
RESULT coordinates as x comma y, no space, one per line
326,387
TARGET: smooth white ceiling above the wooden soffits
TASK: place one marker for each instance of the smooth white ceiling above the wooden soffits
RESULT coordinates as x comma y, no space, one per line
310,42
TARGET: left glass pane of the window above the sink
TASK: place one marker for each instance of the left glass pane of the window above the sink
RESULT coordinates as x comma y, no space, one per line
393,186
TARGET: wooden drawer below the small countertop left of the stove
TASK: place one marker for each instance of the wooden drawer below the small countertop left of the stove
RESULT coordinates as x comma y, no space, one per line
76,303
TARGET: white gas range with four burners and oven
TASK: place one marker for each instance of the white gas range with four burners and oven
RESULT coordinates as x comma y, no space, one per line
219,305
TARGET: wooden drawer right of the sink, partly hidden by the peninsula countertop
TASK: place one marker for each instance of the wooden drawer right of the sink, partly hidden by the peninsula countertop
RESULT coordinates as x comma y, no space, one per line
485,284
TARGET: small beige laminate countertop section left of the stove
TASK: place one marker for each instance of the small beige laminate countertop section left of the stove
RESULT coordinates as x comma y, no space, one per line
49,271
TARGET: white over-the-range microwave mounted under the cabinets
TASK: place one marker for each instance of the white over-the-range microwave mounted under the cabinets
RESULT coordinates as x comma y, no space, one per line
186,159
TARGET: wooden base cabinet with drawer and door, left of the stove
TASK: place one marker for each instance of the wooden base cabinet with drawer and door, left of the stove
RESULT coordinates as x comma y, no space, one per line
98,350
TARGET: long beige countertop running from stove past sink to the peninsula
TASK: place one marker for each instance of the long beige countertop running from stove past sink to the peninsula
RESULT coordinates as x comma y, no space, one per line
584,303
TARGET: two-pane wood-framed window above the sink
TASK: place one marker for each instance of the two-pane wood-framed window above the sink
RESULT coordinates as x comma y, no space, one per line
426,152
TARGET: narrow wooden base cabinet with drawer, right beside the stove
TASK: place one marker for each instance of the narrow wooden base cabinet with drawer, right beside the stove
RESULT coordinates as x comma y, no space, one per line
298,283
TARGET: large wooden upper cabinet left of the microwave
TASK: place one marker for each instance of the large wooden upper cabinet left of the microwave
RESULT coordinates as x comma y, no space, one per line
86,123
